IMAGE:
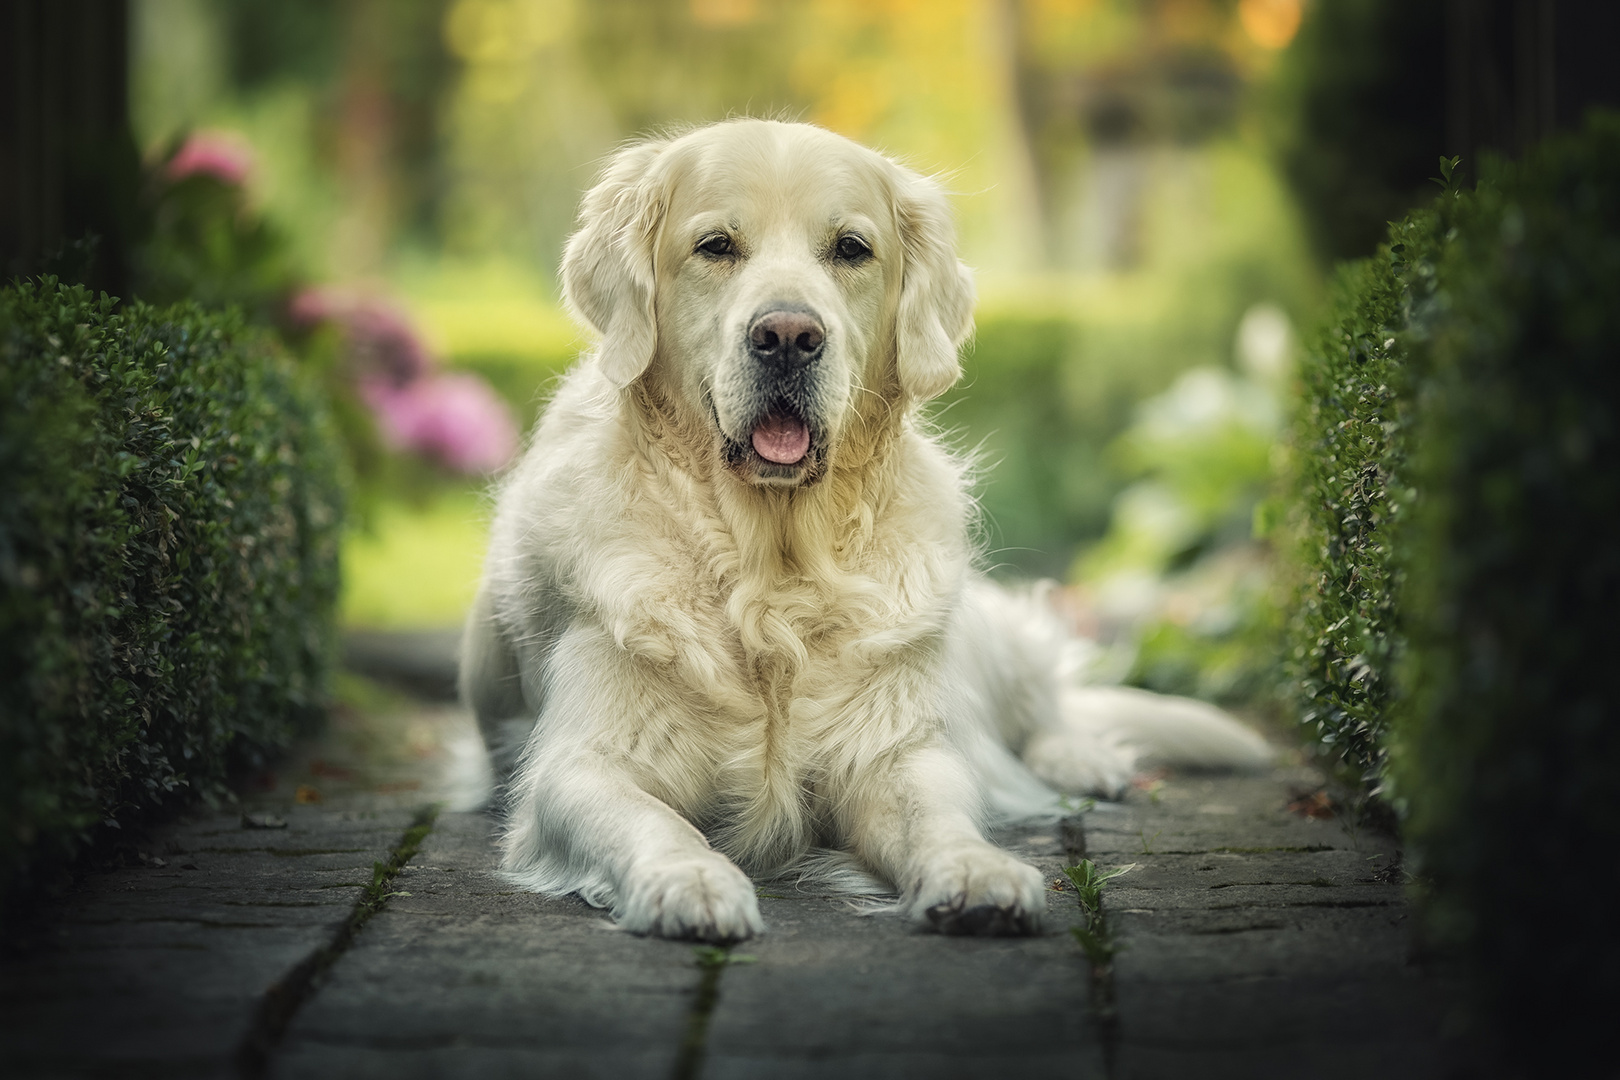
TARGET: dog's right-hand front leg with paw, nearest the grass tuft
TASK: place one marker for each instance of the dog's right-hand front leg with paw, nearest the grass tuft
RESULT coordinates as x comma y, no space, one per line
911,822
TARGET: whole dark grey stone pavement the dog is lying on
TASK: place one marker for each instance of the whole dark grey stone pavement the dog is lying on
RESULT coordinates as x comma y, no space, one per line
1253,942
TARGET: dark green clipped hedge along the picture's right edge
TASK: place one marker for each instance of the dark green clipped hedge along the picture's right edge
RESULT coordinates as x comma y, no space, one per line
1460,496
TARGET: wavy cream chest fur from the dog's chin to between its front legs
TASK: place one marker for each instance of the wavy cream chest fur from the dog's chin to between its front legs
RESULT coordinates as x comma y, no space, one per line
762,637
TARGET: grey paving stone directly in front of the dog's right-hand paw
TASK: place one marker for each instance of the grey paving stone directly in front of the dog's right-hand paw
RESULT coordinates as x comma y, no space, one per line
842,995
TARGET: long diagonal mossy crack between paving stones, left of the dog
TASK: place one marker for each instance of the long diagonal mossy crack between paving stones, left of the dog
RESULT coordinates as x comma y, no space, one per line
292,992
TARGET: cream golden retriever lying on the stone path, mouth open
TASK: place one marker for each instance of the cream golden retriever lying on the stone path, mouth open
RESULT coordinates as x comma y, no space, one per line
730,621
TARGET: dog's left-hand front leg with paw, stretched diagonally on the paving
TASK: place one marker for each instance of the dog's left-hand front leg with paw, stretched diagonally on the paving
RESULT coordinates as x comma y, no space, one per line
582,825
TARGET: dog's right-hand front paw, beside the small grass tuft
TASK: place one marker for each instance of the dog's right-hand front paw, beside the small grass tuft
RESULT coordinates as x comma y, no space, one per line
979,891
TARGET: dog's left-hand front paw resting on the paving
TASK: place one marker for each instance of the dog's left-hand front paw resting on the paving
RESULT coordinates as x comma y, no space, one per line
704,898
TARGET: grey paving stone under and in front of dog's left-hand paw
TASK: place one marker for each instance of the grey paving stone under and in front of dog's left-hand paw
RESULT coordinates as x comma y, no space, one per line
471,977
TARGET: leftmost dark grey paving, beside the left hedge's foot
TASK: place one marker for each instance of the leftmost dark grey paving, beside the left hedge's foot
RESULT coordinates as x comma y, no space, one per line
158,971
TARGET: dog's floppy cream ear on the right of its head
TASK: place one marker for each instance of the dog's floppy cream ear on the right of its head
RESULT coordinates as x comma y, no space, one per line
937,292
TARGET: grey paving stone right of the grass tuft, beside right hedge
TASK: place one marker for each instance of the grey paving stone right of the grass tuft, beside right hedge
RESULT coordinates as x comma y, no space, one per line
1256,942
